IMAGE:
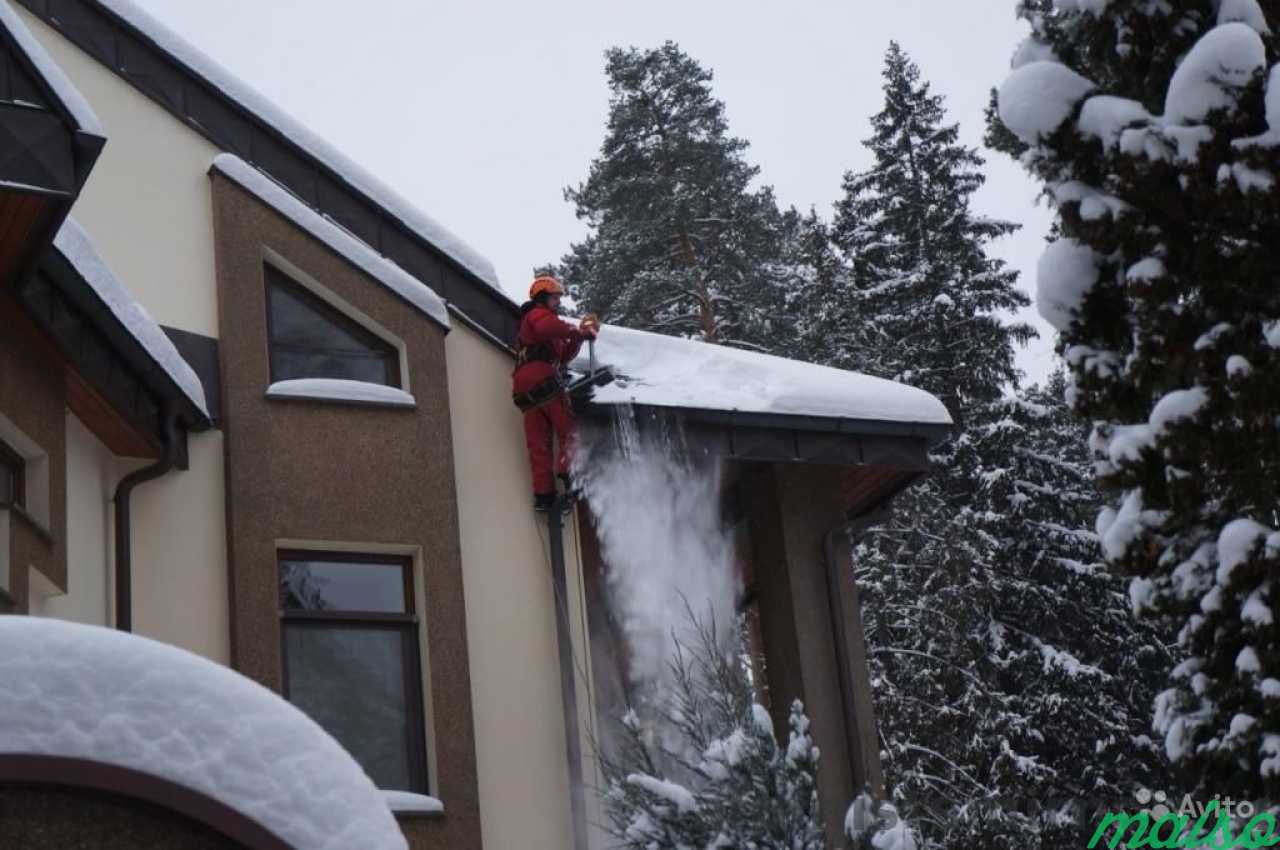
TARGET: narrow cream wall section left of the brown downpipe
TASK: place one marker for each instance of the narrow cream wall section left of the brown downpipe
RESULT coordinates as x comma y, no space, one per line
90,481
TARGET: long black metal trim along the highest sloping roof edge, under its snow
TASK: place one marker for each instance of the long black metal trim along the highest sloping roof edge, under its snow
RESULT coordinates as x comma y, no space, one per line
222,120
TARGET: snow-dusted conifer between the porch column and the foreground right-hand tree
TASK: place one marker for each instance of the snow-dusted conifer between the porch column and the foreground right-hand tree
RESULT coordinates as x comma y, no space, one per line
1012,683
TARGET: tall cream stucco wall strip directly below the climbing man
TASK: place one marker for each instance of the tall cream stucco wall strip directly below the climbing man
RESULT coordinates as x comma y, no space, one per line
511,615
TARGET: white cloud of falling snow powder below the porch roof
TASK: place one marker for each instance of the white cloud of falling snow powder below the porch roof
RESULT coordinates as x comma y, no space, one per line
664,543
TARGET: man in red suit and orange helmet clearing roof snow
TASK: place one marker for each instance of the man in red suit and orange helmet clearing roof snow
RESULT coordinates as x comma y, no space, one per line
545,346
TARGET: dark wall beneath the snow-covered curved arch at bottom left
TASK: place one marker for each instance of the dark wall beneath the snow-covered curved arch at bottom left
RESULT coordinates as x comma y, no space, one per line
52,819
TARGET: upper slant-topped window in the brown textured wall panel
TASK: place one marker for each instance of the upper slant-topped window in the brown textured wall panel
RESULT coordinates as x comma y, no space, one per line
310,339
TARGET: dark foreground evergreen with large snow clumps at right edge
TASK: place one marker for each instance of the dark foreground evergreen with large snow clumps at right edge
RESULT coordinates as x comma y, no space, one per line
1155,129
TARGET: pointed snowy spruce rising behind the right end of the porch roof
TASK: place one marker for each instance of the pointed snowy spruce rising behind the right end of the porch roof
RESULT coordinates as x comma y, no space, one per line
922,301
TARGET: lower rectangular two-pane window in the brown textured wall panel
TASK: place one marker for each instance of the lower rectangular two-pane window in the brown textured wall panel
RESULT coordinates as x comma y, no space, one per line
351,659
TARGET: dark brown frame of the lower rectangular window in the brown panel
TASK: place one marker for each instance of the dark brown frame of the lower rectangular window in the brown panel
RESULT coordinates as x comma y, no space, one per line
408,624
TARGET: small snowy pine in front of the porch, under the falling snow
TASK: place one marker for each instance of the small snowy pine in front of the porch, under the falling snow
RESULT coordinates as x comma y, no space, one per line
711,774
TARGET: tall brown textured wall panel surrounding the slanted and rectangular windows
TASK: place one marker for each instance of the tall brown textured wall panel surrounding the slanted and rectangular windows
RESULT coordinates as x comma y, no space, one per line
324,472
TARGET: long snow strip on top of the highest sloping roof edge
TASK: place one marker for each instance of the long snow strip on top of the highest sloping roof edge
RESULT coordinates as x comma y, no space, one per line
355,175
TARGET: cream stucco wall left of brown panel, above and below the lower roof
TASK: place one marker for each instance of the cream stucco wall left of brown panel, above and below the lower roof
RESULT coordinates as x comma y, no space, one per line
149,211
